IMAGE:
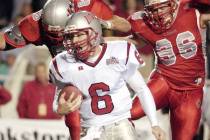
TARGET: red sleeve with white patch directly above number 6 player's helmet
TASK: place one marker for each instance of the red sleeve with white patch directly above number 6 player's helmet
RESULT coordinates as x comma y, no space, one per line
97,7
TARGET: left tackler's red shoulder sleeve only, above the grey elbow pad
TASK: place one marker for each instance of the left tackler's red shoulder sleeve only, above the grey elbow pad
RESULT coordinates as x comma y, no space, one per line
30,27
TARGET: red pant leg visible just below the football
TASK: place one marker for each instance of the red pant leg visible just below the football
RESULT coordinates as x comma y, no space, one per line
72,121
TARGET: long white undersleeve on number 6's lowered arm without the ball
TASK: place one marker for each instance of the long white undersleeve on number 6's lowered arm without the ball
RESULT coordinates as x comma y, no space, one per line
136,82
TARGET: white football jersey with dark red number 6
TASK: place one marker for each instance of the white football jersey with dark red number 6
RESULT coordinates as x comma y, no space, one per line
106,98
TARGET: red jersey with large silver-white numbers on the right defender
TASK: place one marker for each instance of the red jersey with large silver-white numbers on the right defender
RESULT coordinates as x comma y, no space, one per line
179,50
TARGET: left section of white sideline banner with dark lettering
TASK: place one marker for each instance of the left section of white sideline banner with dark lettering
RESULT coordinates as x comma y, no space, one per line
24,129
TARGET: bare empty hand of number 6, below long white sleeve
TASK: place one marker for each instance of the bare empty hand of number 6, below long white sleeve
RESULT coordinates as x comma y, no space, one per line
158,133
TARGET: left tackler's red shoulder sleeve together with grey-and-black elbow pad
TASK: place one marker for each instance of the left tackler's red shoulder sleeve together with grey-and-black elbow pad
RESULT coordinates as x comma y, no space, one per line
27,31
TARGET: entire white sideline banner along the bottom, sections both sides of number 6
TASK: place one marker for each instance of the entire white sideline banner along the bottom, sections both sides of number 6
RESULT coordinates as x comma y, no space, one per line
25,129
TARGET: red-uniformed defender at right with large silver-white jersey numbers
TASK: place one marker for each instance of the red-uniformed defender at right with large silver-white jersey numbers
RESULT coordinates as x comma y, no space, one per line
174,30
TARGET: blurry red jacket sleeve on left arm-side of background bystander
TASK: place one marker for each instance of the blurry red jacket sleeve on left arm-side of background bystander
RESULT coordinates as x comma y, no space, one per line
22,106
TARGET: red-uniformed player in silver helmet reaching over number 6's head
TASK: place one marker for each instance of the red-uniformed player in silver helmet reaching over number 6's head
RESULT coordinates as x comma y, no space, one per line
43,27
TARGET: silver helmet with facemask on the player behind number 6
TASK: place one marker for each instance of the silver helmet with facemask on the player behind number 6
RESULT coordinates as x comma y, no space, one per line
55,14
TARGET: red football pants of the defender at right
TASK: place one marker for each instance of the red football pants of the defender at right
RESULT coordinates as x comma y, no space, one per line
185,107
